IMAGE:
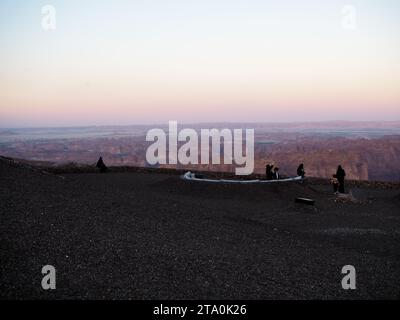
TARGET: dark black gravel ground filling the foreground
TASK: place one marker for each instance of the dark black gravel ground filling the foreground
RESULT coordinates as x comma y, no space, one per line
155,236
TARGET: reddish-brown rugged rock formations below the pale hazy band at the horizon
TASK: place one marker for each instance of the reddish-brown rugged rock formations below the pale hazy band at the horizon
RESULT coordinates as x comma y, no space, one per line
363,159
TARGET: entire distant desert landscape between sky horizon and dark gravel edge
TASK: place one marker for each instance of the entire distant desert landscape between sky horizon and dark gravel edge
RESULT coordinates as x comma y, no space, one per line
367,150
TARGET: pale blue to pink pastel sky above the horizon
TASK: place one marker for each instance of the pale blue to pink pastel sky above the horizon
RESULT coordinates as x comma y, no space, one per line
150,61
